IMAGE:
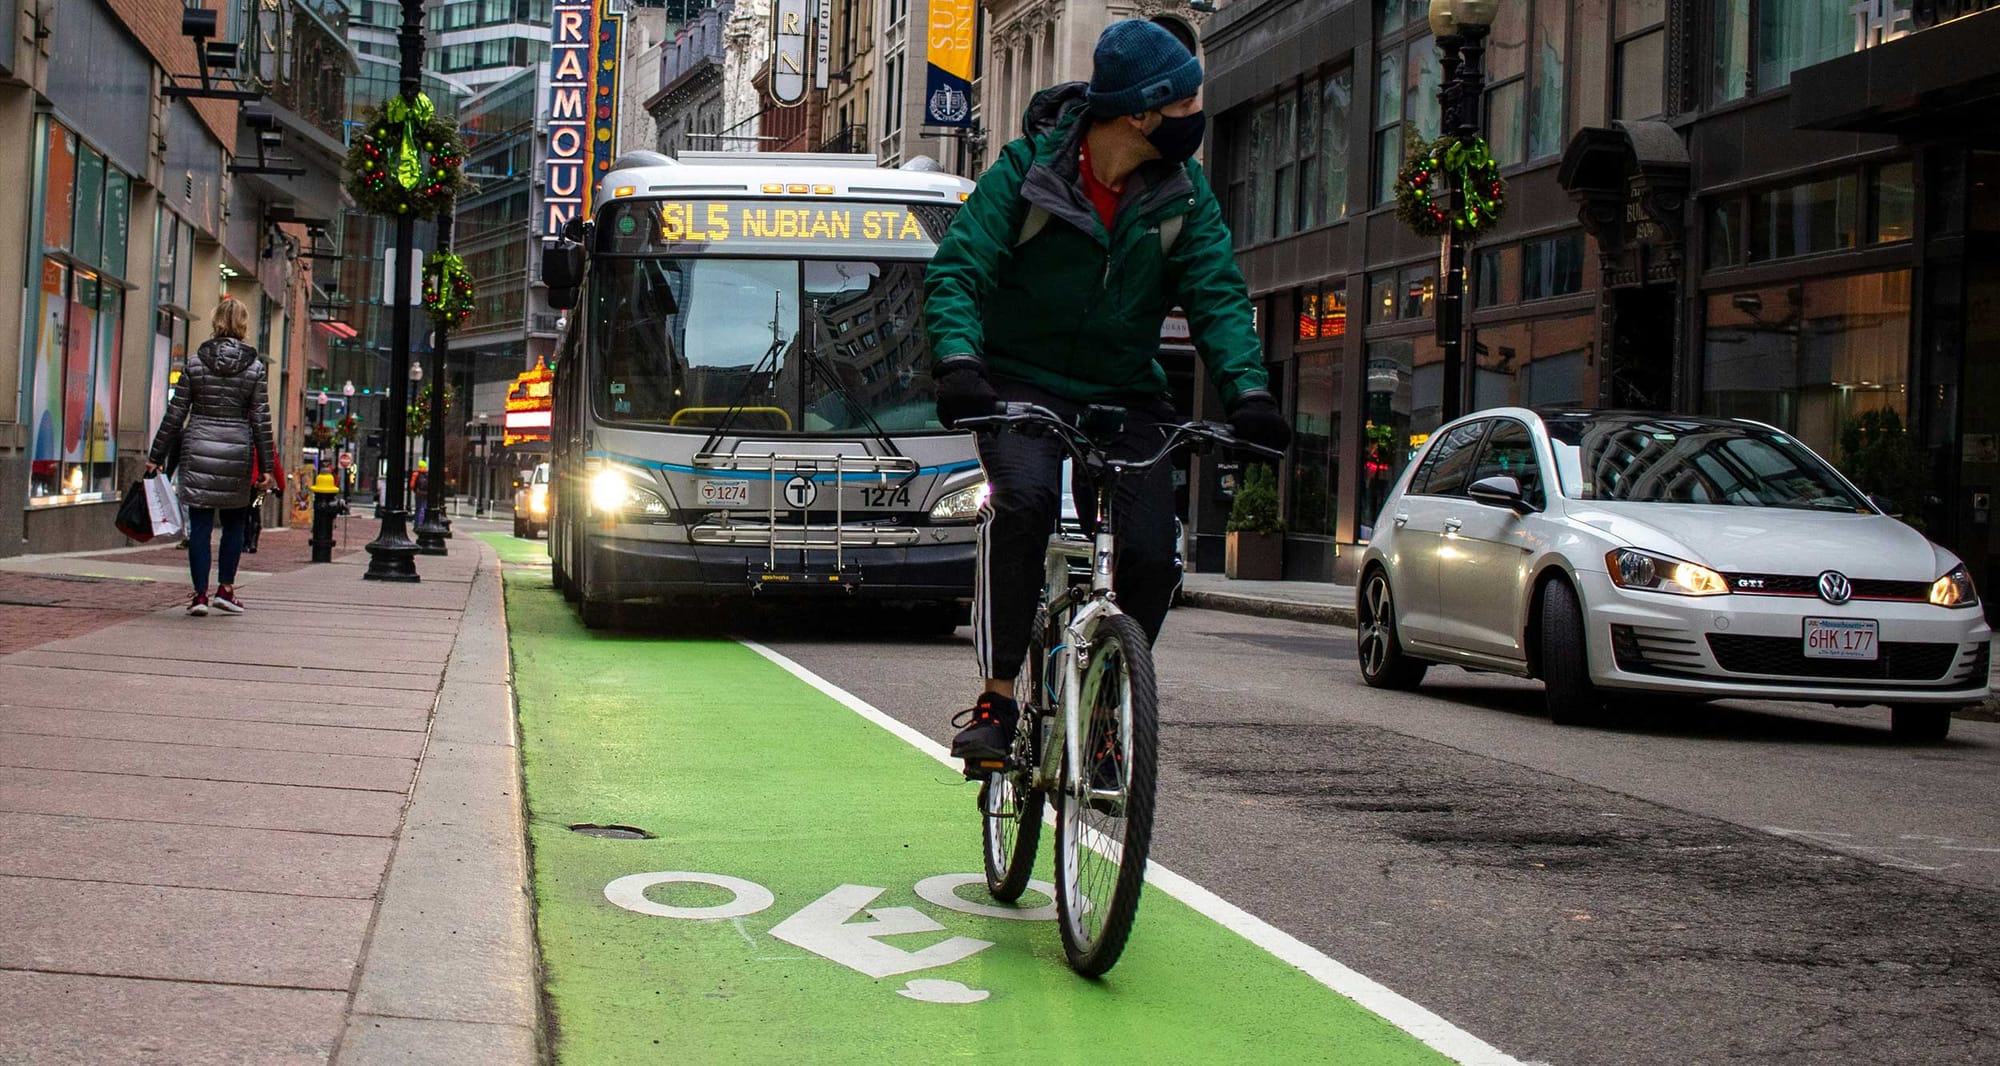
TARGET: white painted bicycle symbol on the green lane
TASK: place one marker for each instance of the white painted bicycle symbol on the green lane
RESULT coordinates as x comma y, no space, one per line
829,927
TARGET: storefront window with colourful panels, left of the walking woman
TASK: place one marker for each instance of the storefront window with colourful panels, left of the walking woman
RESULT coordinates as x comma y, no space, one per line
79,313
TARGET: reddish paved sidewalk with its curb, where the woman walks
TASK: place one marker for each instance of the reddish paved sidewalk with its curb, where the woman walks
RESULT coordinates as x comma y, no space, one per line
215,851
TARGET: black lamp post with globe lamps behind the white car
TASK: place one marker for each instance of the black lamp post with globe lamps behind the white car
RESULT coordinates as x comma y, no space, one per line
1461,29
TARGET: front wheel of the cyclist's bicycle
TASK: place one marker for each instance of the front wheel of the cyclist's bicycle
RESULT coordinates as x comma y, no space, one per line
1105,813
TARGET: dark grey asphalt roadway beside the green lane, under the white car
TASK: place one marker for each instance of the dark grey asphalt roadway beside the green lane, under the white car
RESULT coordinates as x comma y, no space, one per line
1737,883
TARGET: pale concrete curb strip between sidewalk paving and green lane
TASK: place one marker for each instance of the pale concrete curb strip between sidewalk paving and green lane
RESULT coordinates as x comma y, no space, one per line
451,971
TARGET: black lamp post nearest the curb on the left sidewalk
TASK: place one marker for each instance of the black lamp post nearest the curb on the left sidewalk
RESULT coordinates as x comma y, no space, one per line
391,555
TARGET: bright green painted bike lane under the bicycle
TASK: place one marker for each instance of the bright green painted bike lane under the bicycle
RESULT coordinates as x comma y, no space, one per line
811,889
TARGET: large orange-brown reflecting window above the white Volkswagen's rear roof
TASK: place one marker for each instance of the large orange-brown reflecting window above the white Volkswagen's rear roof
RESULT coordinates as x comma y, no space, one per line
1811,357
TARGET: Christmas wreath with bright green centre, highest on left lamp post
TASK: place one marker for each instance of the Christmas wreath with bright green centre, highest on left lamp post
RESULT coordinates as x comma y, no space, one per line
407,161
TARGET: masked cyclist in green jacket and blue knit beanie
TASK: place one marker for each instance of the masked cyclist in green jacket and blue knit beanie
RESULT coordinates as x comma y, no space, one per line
1051,289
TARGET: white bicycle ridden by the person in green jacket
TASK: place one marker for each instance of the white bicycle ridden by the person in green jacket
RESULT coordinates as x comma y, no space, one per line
1089,727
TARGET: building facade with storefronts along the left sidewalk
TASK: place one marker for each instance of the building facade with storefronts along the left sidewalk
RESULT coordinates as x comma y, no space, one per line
127,225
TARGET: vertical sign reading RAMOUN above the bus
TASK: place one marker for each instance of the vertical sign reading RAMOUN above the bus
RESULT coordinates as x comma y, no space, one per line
583,107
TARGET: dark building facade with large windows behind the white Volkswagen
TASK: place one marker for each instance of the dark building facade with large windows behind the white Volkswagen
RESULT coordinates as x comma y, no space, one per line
1691,225
